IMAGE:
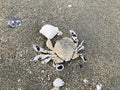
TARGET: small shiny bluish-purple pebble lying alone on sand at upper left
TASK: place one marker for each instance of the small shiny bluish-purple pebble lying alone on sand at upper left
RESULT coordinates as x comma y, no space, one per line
14,22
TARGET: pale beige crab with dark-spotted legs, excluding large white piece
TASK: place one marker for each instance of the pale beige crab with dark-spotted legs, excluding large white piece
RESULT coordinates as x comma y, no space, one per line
64,50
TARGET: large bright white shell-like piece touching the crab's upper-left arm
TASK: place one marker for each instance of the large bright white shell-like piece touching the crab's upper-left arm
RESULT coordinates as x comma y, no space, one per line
50,31
